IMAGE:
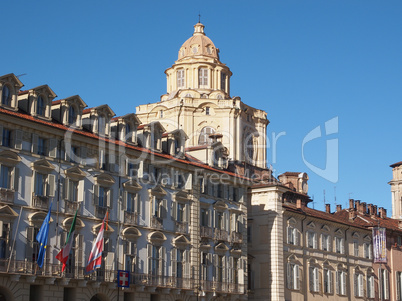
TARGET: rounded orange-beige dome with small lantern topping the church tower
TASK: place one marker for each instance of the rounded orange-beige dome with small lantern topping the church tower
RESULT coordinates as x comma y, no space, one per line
198,45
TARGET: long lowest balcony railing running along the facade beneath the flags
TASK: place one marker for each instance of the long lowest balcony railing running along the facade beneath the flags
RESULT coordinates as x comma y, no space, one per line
24,267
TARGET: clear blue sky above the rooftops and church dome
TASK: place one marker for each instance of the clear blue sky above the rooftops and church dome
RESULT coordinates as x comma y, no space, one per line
304,62
